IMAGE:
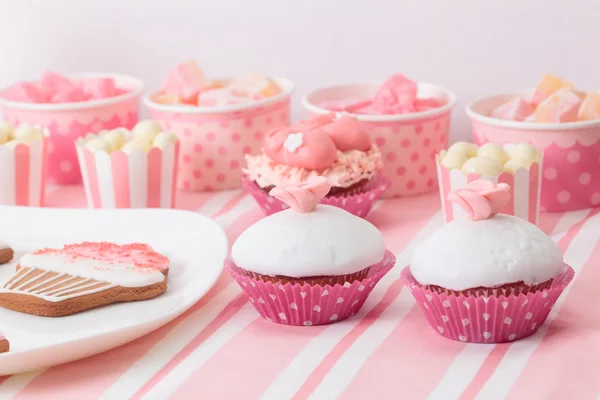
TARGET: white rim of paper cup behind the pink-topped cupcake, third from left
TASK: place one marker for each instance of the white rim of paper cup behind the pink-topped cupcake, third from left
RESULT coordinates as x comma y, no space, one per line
435,112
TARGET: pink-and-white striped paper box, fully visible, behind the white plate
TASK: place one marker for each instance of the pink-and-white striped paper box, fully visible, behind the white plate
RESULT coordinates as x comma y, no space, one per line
136,180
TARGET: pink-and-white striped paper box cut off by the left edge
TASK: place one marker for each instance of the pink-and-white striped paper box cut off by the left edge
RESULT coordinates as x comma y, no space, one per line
23,174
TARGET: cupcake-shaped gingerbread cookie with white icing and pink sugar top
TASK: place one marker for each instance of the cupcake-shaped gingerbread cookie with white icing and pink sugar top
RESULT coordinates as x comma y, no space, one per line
78,277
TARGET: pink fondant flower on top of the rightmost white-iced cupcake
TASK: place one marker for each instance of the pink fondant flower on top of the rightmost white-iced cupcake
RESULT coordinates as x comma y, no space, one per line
481,199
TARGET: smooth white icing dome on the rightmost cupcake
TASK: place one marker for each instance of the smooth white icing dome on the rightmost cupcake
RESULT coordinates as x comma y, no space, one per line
500,250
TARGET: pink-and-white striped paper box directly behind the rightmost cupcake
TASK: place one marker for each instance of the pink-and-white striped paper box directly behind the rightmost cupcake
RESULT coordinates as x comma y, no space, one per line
525,188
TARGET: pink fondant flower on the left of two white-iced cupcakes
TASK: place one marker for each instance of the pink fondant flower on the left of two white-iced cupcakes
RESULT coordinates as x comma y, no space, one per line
303,197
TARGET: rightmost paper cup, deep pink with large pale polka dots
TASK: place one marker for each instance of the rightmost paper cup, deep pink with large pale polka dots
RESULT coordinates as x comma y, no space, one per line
571,170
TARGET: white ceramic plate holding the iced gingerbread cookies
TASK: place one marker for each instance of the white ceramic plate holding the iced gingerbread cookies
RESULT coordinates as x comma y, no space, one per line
195,245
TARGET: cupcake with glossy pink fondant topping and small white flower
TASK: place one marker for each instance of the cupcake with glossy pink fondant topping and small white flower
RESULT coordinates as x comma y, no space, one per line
338,149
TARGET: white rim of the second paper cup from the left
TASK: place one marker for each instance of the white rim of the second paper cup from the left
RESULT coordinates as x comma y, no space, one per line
286,84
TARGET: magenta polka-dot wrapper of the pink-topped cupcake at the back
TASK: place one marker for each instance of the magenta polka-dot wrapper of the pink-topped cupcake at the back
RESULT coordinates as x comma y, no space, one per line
359,204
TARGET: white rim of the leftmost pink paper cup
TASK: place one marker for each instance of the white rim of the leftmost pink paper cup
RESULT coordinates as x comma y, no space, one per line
136,89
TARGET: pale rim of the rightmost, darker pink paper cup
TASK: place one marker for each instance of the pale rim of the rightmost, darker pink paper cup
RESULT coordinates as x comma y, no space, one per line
471,110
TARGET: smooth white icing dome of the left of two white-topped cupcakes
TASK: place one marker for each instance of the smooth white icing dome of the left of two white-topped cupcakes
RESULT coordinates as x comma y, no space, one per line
324,242
